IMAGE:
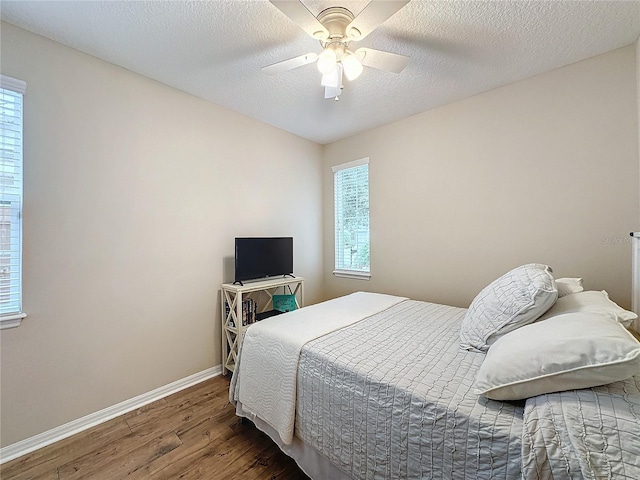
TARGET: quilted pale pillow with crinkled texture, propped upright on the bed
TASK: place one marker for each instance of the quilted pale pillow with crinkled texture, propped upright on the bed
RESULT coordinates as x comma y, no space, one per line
515,299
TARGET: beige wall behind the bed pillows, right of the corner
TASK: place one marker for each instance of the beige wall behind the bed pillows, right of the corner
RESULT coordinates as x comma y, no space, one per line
543,170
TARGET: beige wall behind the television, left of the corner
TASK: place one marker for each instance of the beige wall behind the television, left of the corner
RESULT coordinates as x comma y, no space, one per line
134,192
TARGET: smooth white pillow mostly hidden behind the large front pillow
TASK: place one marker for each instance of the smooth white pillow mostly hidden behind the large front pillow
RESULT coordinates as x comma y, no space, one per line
590,301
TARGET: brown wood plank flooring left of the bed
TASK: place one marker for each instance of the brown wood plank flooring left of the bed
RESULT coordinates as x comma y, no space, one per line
193,434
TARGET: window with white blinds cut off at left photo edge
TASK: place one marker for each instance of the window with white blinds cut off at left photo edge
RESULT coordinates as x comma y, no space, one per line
11,96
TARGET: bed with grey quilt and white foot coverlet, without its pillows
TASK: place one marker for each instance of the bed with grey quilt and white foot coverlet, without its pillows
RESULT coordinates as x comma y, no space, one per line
373,386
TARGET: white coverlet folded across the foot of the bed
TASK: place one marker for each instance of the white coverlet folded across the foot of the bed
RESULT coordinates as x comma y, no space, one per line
265,376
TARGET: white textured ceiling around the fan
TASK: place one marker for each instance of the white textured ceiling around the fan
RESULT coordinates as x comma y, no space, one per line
215,49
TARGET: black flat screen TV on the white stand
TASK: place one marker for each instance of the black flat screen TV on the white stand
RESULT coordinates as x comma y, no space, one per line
260,257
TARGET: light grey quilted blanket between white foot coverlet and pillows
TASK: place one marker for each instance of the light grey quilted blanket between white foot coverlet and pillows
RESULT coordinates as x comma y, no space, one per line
391,397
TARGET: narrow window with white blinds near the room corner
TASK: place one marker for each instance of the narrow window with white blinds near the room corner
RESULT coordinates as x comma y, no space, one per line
351,203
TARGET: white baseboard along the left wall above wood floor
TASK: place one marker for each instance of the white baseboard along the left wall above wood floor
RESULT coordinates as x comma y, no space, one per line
28,445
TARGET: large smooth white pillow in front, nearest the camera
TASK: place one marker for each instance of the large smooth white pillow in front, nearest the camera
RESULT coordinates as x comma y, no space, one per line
570,351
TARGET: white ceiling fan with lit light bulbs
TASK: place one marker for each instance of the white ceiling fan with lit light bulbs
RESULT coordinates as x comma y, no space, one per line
336,28
